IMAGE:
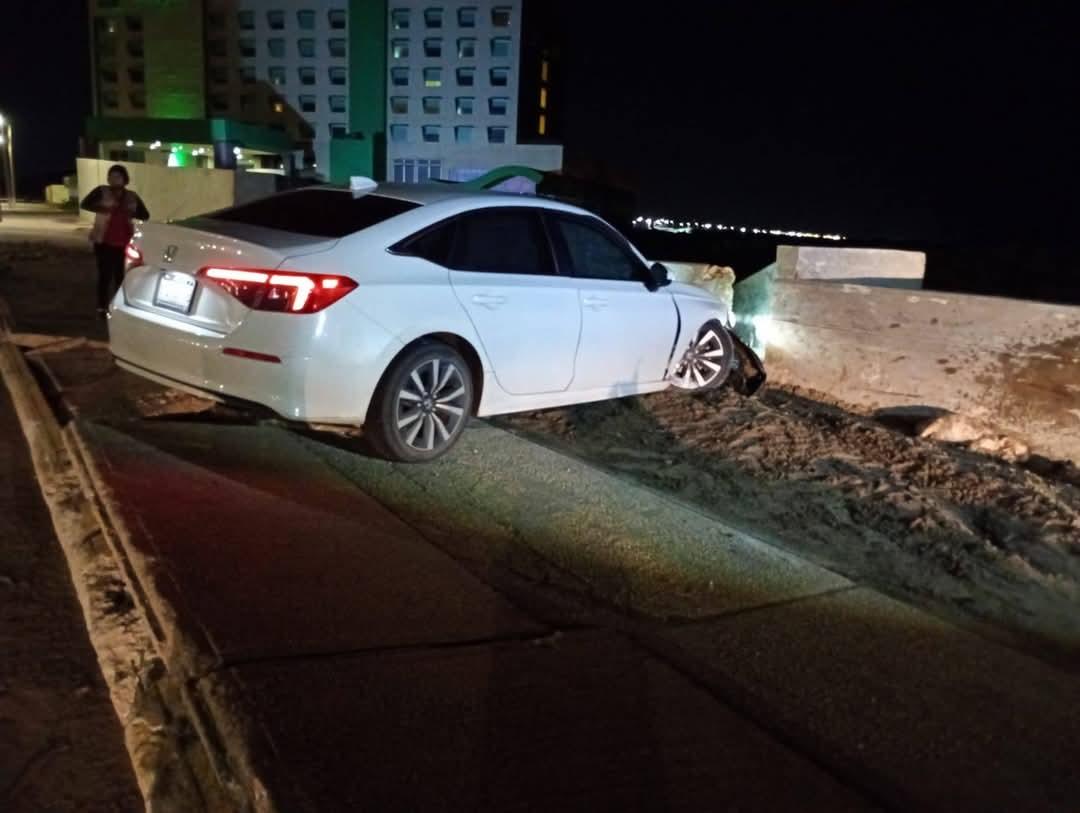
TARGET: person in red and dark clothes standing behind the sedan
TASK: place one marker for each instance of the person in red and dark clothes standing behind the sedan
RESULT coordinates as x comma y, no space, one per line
115,208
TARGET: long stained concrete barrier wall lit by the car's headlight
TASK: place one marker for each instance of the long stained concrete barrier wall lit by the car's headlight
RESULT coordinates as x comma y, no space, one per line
1014,363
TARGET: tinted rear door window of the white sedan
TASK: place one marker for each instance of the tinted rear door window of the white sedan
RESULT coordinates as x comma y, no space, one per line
508,241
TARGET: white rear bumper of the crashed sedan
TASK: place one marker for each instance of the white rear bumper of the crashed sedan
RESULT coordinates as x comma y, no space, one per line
318,378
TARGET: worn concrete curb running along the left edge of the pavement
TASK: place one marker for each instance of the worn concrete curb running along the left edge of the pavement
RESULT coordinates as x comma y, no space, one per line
152,703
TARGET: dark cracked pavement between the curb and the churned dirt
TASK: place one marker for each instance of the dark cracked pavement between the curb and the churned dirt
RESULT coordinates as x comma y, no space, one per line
510,629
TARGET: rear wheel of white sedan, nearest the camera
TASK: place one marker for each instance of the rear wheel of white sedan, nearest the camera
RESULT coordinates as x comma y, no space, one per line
423,404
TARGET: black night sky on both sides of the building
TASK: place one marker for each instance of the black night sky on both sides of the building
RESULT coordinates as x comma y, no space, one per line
871,119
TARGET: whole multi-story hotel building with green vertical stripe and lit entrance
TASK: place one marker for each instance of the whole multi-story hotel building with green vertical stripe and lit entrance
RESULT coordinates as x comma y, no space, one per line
398,89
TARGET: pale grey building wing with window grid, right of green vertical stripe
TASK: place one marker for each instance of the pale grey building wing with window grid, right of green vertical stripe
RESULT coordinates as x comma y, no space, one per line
455,82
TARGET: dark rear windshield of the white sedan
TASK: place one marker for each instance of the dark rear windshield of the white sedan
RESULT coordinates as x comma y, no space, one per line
323,213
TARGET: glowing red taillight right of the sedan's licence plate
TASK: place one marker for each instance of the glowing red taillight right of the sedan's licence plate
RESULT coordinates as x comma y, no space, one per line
285,292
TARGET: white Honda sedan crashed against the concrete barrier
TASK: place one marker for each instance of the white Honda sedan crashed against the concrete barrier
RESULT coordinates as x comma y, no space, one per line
407,309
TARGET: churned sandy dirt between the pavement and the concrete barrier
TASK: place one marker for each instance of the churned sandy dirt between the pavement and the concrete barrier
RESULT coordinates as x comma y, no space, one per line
937,524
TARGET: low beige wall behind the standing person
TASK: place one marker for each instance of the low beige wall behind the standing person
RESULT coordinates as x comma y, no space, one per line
175,193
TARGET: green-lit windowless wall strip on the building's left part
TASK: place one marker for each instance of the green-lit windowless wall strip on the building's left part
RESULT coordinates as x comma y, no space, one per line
173,36
